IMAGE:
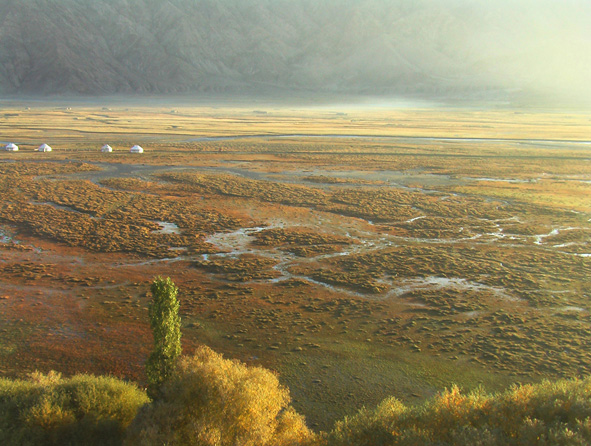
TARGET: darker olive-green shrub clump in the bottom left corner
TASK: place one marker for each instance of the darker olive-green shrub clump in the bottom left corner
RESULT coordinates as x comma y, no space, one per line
82,410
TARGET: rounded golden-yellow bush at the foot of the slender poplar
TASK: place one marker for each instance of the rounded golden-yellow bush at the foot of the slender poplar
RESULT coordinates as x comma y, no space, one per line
210,401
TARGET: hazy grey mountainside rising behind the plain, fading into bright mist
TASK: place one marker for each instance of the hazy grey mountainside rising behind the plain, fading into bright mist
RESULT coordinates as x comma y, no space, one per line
444,48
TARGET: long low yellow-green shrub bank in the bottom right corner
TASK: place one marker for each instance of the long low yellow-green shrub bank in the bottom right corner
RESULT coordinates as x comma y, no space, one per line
550,413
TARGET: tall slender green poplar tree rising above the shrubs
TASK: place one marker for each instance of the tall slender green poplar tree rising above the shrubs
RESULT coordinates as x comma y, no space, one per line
166,327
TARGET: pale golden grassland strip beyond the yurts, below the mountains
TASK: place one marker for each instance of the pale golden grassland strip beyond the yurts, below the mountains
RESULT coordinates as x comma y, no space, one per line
81,124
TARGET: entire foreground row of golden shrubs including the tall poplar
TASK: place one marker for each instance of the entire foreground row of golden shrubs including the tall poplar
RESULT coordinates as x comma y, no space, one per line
207,400
